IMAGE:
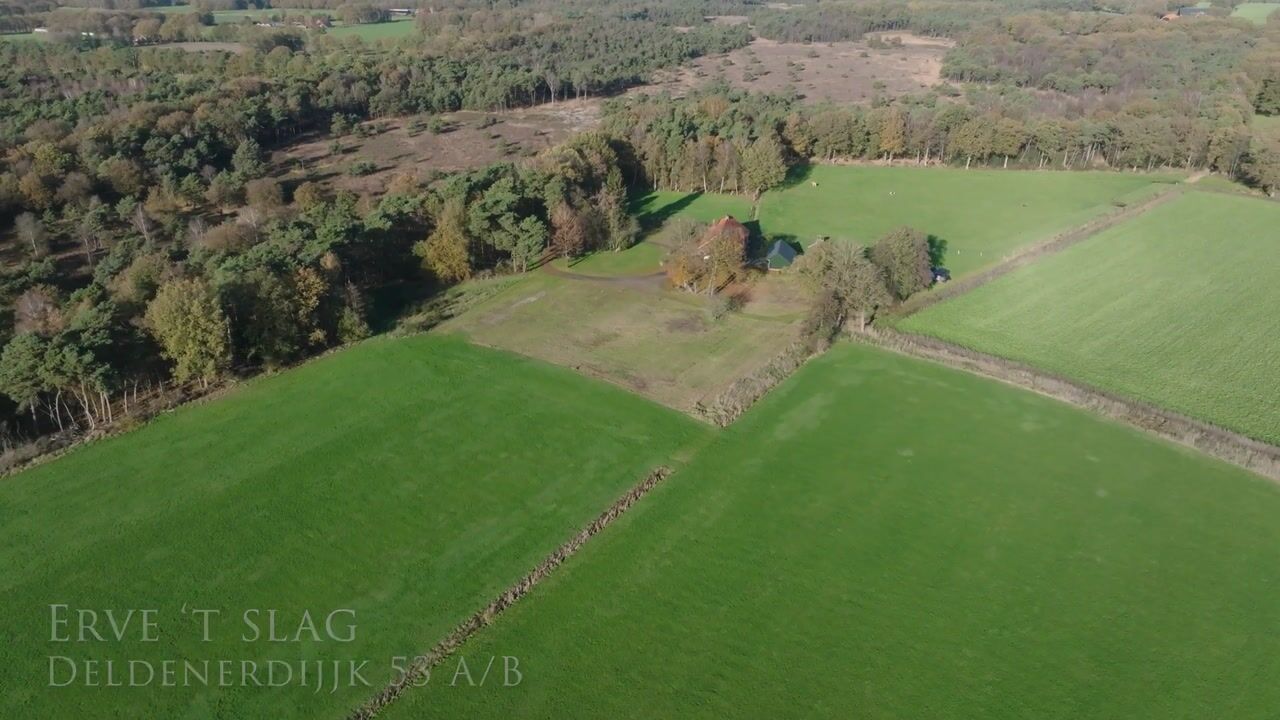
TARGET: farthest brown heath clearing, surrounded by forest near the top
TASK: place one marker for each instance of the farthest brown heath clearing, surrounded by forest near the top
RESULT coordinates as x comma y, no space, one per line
838,72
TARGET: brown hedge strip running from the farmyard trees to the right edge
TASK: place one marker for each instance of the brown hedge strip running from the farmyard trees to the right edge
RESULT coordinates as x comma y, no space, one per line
1226,445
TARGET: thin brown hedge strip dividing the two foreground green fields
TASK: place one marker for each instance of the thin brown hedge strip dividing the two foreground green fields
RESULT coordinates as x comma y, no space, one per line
451,642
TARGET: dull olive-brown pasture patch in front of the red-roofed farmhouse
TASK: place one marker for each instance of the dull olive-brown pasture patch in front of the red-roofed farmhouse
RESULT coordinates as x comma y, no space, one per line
662,344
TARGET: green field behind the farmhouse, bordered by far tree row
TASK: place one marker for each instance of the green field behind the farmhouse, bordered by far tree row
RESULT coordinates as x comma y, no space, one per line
982,216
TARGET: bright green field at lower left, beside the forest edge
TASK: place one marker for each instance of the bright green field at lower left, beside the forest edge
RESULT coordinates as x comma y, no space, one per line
409,480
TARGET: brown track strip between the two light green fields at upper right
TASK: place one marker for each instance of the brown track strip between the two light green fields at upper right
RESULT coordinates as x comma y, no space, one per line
1027,256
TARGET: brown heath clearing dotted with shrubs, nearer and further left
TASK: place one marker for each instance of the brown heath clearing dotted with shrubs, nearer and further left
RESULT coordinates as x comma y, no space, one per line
404,145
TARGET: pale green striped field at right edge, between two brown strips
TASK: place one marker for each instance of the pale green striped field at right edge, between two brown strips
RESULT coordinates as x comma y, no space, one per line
1177,308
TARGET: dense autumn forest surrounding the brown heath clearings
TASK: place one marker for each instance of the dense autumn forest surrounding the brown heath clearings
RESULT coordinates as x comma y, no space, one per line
145,240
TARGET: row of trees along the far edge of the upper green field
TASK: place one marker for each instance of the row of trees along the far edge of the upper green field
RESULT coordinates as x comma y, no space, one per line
730,142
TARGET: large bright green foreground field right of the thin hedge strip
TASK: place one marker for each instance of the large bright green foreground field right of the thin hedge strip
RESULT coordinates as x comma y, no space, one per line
889,539
